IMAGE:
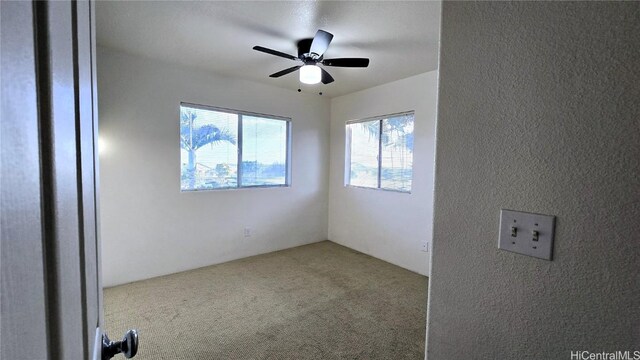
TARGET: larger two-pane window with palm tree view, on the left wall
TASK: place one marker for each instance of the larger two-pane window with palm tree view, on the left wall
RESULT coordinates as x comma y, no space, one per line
214,141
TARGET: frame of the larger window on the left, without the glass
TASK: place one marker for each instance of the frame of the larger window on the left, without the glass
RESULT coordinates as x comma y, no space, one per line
240,114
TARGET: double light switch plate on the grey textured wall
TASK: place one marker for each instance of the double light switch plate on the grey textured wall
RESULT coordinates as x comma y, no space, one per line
518,232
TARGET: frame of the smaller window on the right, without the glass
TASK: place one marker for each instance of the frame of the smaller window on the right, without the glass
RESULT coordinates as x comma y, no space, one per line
347,163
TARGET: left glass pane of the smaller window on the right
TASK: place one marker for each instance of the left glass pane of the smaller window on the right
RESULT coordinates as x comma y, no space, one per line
363,139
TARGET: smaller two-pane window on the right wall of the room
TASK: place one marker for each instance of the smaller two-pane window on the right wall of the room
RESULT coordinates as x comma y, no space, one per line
380,152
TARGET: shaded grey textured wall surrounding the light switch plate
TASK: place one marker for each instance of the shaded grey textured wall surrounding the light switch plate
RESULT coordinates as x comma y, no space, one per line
539,110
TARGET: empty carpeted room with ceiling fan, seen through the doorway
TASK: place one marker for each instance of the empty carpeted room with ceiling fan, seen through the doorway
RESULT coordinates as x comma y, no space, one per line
312,199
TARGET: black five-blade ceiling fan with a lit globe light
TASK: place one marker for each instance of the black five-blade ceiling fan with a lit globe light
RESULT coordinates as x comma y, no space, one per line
310,53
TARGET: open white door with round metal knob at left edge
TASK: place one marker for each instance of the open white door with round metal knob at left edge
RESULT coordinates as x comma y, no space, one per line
51,295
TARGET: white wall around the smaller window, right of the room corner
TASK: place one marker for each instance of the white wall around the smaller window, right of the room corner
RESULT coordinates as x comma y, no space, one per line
387,225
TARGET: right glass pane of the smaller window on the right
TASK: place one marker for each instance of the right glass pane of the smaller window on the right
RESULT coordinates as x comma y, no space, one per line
397,153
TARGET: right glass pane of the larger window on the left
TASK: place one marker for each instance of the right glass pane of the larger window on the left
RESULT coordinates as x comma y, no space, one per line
264,151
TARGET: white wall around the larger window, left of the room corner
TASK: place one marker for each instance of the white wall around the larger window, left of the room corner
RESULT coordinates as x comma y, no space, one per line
148,227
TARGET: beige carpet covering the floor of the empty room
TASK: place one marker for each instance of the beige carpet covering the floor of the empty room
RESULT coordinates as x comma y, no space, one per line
319,301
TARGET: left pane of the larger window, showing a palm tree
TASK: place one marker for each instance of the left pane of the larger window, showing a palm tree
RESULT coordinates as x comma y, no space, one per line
209,154
